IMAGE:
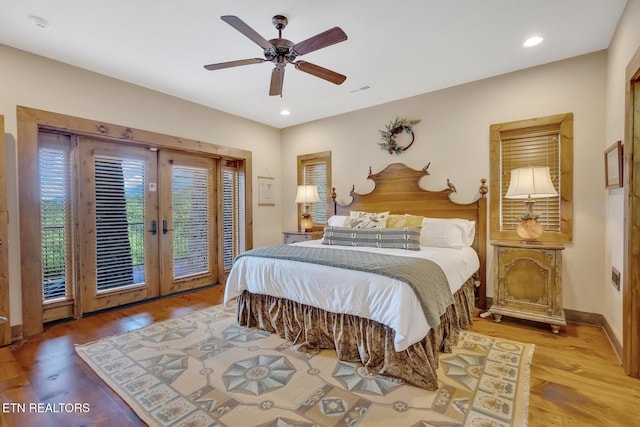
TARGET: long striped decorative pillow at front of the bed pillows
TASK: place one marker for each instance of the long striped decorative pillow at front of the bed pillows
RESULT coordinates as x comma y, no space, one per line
399,238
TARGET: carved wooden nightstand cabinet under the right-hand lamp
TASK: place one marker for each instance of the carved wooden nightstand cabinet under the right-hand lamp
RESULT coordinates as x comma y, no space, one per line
528,282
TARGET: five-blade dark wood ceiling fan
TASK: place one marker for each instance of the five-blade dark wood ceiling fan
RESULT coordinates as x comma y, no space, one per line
282,52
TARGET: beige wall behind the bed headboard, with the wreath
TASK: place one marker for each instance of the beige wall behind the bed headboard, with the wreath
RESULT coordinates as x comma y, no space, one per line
454,137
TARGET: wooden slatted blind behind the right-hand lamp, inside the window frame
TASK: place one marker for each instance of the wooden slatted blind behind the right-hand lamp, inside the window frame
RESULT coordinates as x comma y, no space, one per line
531,147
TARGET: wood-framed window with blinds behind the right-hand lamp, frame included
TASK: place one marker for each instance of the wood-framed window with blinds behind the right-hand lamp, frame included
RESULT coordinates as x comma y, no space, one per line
546,141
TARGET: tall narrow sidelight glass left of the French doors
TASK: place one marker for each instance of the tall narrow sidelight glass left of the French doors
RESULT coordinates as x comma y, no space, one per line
54,191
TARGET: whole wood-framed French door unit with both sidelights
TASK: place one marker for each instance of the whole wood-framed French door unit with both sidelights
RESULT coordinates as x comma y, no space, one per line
155,185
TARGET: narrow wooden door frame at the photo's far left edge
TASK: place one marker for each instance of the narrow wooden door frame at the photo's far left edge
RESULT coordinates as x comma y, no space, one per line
5,318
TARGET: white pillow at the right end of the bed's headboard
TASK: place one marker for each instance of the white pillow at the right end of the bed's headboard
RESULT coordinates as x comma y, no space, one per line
447,233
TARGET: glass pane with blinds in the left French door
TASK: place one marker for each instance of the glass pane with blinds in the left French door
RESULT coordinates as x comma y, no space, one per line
120,205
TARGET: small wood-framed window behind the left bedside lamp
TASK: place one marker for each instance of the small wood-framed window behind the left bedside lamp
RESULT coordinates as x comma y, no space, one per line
315,169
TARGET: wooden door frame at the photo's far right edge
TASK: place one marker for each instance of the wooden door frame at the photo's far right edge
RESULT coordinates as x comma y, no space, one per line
631,274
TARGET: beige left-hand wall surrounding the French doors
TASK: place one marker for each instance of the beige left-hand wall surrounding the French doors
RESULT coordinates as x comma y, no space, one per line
38,82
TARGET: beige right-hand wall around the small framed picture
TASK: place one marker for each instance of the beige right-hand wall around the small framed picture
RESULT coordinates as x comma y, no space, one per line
624,45
